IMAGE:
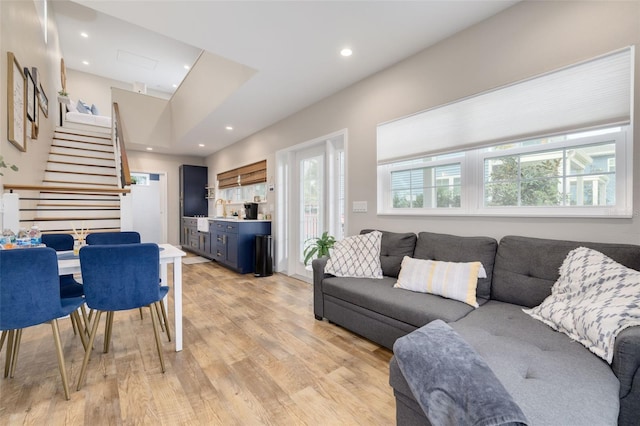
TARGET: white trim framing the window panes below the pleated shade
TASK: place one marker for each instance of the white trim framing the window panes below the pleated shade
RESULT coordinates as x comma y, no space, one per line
472,181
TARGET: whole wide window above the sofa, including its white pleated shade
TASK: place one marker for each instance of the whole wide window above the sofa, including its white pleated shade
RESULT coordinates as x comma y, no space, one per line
557,144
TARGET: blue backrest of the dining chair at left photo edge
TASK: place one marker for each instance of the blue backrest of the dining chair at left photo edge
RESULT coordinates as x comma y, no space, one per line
29,287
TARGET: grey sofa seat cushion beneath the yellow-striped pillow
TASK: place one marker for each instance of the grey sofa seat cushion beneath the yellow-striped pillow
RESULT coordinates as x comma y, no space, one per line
379,296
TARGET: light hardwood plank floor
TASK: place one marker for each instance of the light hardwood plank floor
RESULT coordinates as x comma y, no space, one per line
253,354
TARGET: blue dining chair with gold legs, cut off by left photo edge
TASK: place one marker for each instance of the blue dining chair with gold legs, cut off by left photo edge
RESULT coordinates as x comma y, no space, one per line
30,295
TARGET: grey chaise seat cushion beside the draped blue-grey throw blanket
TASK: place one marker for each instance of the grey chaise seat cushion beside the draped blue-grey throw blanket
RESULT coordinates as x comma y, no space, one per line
552,378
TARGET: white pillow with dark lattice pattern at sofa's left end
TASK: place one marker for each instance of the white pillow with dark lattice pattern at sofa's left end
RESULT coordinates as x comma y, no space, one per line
357,256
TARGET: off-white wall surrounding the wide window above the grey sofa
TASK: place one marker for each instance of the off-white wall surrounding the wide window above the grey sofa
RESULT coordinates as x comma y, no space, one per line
525,40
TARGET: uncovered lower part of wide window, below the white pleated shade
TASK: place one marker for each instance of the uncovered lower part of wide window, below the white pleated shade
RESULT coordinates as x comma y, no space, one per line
577,174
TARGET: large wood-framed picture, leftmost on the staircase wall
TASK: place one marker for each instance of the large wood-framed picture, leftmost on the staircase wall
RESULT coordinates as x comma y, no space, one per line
16,106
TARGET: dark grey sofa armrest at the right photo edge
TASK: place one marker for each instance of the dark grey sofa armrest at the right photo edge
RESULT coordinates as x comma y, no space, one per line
626,367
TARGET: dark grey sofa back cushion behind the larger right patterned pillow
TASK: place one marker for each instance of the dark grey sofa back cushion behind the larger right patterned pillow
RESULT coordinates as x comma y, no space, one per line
526,268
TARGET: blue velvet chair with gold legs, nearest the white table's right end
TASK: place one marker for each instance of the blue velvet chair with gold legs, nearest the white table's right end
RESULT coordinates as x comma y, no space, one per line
117,278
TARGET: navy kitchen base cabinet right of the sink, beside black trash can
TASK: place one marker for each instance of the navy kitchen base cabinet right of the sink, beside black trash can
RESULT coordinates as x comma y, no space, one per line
233,243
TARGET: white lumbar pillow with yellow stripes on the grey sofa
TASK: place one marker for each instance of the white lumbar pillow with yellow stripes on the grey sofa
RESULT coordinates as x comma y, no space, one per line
453,280
